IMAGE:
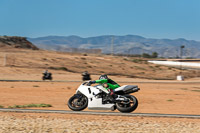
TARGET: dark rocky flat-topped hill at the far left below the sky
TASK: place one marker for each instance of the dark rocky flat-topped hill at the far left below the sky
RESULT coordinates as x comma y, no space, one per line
16,42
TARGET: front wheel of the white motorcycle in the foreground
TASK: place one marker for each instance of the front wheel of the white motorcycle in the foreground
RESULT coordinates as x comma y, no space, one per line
78,102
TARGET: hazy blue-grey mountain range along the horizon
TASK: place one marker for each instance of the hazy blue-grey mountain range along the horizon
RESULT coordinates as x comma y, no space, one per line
128,44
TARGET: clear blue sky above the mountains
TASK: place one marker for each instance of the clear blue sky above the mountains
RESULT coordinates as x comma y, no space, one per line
149,18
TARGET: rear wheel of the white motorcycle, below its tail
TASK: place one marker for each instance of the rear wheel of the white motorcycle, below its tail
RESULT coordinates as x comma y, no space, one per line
127,107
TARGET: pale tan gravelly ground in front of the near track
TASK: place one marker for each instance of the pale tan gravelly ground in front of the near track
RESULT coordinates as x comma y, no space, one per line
54,123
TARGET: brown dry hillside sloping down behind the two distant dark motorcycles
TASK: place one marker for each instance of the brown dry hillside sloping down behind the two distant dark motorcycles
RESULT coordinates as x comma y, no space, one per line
33,62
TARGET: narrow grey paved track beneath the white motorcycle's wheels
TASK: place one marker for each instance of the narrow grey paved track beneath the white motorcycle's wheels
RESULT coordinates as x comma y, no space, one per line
101,113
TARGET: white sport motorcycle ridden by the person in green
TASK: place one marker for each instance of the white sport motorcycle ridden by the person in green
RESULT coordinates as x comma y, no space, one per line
98,98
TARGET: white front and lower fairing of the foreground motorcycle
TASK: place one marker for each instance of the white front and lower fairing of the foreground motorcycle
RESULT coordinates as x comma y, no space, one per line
94,102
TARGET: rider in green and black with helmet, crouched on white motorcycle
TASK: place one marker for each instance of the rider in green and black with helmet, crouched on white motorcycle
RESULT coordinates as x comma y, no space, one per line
109,84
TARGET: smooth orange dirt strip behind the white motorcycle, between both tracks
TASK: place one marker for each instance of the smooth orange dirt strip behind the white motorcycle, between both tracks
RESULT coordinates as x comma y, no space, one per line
168,98
